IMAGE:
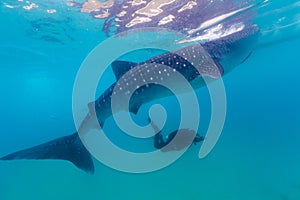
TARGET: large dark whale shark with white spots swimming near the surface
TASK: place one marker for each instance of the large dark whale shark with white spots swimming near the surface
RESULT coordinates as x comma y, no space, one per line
71,148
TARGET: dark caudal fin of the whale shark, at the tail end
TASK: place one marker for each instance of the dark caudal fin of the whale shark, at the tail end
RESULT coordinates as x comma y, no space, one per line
65,148
